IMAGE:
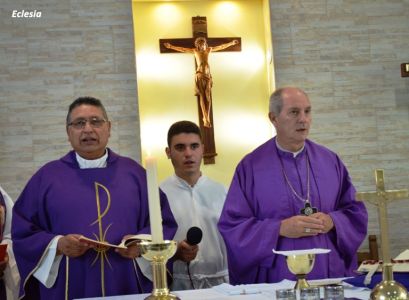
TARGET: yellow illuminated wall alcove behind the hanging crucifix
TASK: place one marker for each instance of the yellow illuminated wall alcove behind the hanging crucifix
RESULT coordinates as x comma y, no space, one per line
242,80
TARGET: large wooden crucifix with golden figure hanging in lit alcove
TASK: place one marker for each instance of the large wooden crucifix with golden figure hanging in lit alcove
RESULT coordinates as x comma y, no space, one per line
201,45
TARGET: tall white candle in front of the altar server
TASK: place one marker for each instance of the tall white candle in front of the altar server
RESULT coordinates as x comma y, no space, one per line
155,215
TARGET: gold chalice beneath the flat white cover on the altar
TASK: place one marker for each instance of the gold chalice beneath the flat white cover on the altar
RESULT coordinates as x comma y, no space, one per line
300,265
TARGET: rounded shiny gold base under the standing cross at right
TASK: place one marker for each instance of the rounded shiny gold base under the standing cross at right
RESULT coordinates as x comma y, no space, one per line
388,289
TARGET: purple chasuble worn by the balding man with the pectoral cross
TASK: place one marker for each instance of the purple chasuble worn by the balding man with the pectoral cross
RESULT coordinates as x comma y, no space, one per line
259,198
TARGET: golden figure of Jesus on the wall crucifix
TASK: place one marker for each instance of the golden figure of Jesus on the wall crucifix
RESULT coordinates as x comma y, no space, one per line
203,77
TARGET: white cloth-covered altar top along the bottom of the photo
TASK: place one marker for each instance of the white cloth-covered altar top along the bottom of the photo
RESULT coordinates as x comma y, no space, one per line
261,291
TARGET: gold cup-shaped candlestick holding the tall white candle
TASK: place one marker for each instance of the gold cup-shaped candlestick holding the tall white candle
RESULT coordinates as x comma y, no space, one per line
158,254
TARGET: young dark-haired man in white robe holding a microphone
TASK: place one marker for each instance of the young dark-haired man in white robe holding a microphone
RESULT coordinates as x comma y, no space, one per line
195,200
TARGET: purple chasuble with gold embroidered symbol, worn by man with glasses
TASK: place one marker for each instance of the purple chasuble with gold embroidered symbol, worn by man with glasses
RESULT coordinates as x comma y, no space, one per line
99,203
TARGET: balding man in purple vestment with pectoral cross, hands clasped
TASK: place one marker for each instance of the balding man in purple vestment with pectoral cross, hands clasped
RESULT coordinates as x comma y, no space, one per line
291,194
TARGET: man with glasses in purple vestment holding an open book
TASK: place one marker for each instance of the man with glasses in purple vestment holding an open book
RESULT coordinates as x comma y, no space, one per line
91,192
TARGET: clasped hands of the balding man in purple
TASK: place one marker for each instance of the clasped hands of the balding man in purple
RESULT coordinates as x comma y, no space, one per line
301,226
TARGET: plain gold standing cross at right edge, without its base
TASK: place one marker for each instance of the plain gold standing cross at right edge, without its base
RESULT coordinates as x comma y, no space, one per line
380,198
